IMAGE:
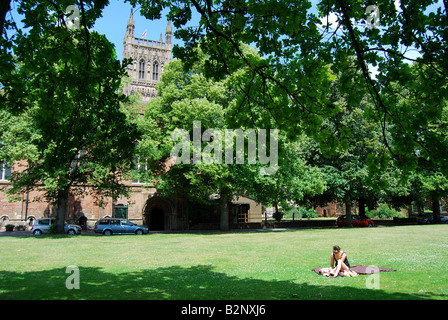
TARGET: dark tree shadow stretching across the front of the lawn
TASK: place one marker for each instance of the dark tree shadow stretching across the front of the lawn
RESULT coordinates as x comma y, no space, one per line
198,282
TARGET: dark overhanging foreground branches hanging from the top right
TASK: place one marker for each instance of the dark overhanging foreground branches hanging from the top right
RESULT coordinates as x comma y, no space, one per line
298,42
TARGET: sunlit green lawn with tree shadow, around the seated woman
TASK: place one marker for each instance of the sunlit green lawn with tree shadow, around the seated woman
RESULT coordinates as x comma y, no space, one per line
235,265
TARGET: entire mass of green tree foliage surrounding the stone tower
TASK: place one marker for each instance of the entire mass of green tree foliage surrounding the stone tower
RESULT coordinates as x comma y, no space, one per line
358,136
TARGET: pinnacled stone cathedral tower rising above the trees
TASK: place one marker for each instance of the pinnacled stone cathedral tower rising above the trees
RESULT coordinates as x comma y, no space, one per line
149,58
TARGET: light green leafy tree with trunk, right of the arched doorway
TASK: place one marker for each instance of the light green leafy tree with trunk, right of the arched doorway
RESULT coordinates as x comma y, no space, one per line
189,106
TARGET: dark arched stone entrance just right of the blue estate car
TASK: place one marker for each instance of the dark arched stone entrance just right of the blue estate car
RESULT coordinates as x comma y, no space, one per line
157,214
